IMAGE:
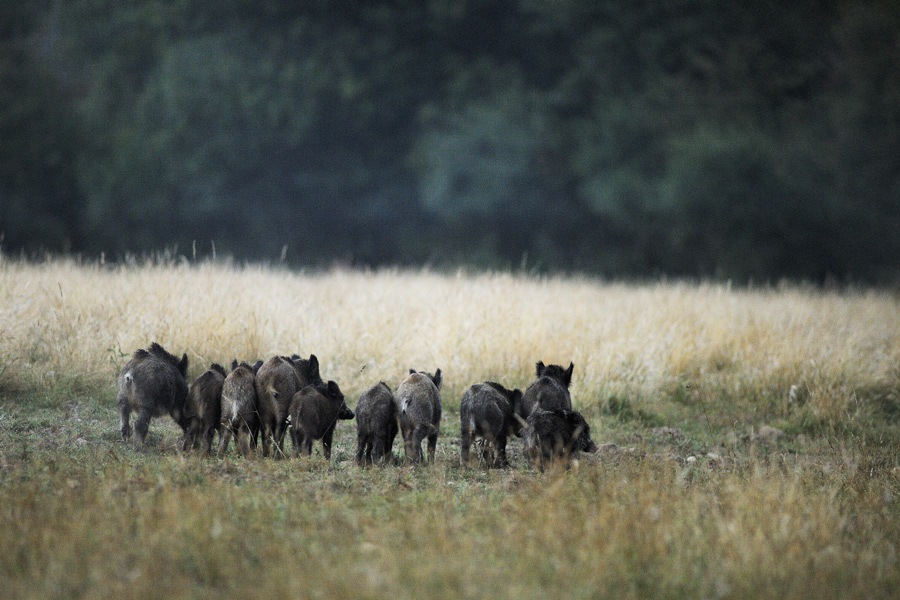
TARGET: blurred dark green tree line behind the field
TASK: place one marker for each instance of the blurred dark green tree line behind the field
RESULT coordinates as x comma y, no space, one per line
750,140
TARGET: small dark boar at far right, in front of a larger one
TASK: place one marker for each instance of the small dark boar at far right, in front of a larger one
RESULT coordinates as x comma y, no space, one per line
556,435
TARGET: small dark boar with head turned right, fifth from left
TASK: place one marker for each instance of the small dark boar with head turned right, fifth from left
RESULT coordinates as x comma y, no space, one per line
315,411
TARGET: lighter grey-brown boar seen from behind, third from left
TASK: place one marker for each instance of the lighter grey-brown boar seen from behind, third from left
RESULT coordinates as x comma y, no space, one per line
240,416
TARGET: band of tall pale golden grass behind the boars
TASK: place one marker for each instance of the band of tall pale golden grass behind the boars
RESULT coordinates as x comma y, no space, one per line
61,320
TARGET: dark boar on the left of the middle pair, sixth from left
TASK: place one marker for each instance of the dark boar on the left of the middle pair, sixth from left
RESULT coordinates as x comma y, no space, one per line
376,425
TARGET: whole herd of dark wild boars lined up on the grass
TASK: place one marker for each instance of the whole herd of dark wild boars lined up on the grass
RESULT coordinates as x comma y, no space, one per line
287,394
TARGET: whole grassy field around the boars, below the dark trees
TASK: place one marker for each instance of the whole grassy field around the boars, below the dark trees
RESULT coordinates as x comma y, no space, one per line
749,439
